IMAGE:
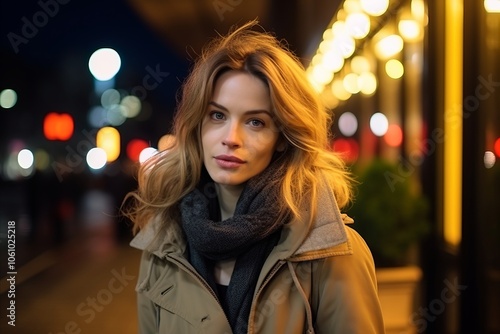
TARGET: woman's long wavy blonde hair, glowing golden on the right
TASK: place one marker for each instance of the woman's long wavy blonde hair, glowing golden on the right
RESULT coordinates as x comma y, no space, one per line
302,120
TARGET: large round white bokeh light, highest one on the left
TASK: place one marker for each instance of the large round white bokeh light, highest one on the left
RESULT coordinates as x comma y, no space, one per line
104,64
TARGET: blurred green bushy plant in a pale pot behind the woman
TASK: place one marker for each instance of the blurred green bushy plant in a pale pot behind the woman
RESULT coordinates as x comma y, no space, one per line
392,219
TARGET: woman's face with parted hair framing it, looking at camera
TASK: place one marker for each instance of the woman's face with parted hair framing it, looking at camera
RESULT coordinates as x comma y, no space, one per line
238,133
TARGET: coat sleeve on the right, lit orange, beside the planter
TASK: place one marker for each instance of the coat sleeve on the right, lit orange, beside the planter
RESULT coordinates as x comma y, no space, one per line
347,298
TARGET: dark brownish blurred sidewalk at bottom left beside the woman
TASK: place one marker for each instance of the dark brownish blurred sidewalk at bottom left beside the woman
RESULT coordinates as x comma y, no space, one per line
79,288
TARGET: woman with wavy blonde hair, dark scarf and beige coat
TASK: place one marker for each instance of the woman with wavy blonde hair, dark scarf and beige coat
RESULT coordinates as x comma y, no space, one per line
239,222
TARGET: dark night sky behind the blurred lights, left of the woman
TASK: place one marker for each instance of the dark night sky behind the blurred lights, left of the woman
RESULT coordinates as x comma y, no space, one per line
44,57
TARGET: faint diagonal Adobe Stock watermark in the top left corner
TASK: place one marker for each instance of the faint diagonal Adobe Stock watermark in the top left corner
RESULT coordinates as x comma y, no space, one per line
31,27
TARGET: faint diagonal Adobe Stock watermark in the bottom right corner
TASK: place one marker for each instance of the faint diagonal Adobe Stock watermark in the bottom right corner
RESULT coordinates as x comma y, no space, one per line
421,318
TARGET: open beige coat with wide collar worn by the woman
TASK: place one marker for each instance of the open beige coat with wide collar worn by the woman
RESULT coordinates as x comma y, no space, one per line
318,279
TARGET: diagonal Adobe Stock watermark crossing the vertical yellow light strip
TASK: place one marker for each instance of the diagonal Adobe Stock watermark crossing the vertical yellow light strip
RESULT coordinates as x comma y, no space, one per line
406,167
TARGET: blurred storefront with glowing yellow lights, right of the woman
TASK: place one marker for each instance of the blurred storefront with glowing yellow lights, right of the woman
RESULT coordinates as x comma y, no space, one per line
417,83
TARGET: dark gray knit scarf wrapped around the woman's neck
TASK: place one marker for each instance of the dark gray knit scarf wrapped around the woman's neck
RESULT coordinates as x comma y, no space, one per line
249,236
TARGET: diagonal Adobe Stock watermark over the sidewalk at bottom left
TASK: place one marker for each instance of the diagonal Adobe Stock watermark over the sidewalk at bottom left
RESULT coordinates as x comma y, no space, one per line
88,309
